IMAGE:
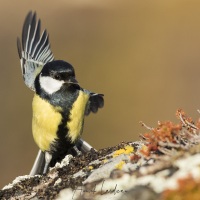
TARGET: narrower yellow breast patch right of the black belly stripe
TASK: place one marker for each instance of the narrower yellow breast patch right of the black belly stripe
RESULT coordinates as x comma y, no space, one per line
75,124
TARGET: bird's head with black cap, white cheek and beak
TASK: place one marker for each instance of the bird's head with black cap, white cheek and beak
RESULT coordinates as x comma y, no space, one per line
57,75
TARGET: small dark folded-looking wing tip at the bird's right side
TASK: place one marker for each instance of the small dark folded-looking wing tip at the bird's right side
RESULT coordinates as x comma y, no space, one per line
95,102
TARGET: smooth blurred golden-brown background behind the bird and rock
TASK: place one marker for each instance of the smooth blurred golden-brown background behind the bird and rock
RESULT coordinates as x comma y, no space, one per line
143,55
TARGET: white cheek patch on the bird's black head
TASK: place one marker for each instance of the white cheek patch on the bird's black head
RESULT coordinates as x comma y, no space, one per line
49,84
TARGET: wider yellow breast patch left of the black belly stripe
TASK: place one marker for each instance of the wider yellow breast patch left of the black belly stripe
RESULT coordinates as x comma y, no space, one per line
45,122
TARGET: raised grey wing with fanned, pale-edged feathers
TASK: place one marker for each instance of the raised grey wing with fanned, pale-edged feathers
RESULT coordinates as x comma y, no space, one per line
34,49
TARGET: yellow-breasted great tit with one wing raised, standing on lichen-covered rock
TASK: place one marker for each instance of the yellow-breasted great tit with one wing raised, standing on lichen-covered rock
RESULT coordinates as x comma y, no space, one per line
59,104
